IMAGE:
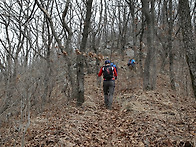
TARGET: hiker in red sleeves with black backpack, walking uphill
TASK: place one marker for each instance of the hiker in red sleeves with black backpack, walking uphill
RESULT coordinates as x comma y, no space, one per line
109,76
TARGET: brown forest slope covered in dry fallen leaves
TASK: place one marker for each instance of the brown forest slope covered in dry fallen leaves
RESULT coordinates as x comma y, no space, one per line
138,118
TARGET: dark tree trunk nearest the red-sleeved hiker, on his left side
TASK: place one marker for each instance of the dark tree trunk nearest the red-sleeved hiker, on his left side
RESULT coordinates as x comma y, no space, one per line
80,58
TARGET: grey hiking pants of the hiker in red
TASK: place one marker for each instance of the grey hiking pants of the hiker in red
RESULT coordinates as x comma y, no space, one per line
108,89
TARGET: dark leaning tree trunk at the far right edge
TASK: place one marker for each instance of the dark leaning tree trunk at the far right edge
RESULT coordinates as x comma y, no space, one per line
188,39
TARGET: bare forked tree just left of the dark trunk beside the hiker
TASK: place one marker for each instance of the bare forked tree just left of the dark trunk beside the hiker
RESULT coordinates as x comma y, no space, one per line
64,48
